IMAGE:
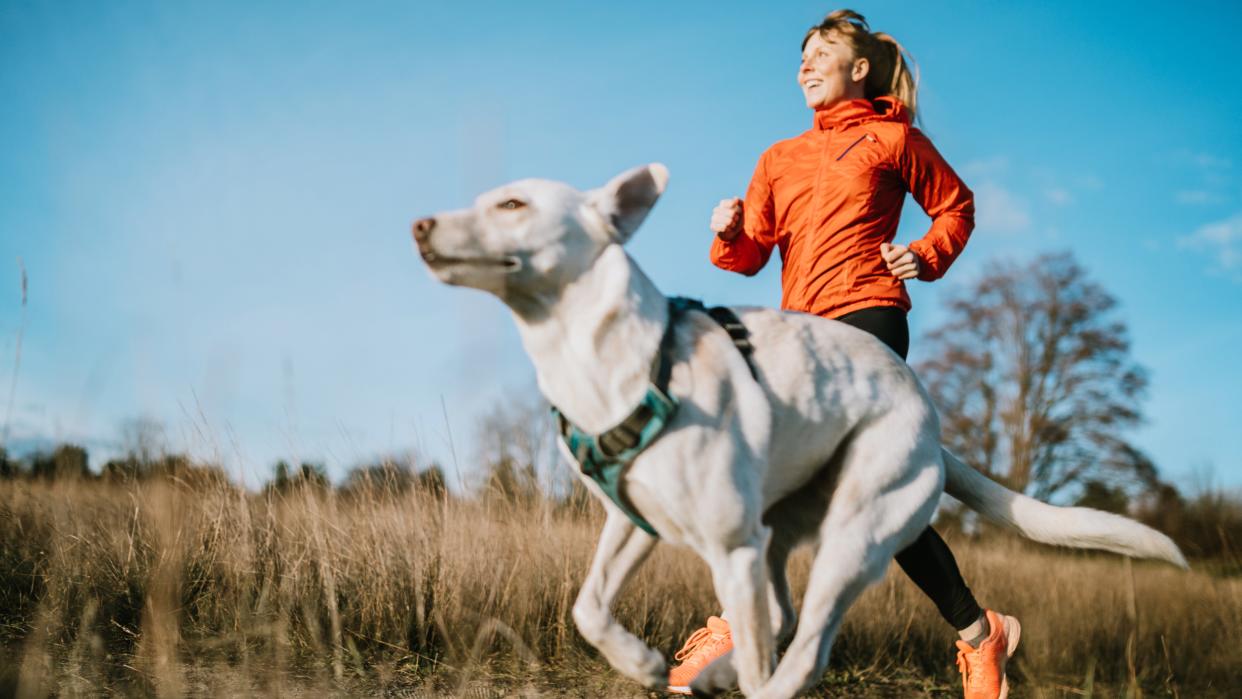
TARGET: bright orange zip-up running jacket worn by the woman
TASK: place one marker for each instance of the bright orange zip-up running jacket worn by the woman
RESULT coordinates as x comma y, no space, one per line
830,197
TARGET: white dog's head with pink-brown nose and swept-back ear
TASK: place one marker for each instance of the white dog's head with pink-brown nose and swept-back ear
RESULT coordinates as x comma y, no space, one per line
532,238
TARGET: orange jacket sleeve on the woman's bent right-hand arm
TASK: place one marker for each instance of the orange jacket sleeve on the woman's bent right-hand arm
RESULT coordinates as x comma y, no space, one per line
945,198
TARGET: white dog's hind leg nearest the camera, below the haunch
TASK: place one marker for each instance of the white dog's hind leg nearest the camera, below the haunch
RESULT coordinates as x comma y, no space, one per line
858,541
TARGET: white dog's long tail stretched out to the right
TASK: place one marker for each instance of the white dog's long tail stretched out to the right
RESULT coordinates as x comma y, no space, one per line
1081,528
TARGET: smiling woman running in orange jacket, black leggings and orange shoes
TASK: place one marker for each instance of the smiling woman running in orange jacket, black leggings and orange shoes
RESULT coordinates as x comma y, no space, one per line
830,199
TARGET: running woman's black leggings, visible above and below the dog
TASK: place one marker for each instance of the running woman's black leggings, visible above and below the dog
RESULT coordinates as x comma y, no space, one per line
928,562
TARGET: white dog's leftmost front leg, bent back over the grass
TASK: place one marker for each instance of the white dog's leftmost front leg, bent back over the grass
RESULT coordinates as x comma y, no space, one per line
622,549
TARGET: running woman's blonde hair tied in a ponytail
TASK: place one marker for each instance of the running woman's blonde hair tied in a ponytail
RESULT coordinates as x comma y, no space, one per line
892,69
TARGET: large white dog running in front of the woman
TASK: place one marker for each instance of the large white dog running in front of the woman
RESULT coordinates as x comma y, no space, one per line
832,440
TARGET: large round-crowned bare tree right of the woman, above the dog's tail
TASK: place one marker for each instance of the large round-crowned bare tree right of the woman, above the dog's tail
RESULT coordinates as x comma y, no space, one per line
1035,383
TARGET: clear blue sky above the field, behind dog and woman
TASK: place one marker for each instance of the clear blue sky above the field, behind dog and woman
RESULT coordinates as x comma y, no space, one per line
213,201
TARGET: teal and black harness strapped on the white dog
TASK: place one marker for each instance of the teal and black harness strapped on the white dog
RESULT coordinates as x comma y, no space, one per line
605,458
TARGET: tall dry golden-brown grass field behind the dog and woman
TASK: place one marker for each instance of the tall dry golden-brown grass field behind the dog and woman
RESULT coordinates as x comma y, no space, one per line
171,588
